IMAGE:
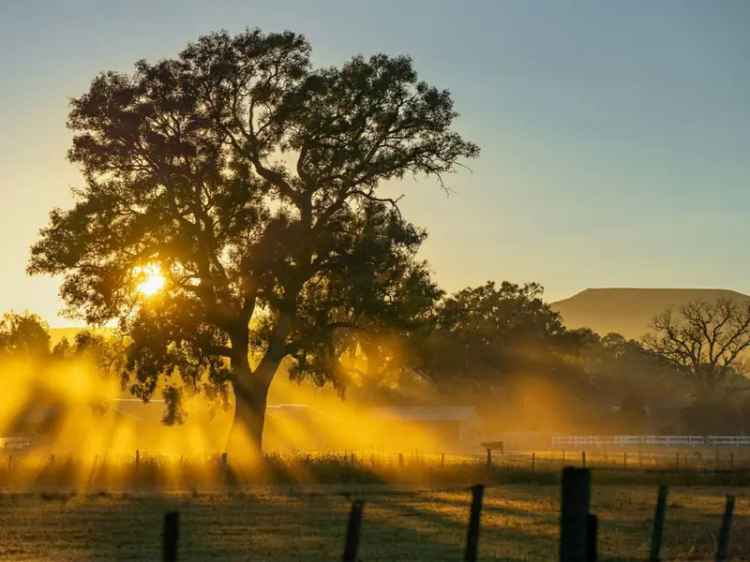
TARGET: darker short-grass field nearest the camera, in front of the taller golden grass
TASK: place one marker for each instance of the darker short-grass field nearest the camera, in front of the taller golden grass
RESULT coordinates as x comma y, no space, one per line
307,523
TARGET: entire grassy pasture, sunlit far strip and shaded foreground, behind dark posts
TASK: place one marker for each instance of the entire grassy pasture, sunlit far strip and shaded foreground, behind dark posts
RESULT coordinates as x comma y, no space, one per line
296,509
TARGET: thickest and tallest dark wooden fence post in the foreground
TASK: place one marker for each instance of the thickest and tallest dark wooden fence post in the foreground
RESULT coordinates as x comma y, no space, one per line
574,511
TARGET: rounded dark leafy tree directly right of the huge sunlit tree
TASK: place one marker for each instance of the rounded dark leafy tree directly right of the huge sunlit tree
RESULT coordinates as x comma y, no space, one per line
502,349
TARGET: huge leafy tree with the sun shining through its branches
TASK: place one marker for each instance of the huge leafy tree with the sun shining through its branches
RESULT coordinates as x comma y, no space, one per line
251,180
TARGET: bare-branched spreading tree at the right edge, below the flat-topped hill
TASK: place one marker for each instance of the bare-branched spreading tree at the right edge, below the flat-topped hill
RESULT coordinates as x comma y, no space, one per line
704,341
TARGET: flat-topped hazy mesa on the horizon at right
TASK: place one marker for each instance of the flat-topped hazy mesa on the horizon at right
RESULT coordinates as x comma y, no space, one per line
629,311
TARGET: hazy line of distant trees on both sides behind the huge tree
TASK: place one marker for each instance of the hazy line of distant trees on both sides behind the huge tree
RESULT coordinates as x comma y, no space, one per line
491,346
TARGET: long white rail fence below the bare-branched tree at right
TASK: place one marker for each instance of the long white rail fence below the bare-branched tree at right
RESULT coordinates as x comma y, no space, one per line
603,441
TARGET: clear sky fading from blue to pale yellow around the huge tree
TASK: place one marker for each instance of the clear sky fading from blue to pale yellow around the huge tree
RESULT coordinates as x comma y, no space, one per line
614,135
